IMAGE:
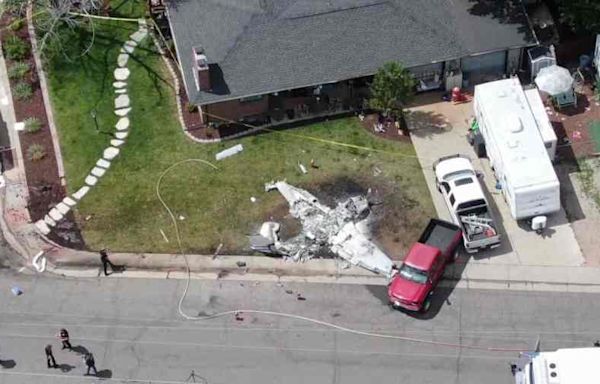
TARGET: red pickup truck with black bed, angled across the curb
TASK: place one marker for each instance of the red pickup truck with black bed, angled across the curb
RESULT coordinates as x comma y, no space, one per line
411,288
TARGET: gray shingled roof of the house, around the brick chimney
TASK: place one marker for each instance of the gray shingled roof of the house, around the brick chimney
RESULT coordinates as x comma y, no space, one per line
262,46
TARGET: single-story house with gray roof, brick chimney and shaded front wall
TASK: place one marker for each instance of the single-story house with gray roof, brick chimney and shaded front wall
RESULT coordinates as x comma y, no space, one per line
264,61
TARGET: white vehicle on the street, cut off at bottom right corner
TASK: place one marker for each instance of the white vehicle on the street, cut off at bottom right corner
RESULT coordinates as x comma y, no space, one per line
563,366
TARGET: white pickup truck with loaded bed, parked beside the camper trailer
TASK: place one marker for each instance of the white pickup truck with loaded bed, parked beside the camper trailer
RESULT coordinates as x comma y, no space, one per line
457,182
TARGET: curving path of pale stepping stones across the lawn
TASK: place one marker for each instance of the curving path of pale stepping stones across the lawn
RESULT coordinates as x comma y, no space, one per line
122,109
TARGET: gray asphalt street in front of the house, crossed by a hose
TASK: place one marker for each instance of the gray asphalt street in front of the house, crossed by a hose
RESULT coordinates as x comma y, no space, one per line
133,329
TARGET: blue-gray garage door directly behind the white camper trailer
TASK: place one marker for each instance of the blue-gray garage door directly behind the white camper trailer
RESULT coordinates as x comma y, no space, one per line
481,68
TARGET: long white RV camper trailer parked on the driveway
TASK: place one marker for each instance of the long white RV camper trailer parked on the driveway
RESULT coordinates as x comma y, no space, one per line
516,151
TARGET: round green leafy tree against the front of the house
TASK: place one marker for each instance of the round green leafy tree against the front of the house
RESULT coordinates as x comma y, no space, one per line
392,89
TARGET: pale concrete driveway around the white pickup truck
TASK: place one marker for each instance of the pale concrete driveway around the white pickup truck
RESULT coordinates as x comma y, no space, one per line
438,129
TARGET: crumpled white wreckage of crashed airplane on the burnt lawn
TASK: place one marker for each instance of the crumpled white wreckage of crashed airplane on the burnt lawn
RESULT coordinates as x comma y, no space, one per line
342,229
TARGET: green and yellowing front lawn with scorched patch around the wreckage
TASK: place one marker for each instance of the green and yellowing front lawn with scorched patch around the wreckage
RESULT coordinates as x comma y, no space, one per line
122,211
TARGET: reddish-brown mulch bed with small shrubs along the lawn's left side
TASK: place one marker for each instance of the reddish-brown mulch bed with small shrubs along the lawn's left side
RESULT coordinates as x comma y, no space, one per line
45,189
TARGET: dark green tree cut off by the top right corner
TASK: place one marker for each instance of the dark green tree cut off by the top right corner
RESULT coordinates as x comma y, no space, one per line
581,15
